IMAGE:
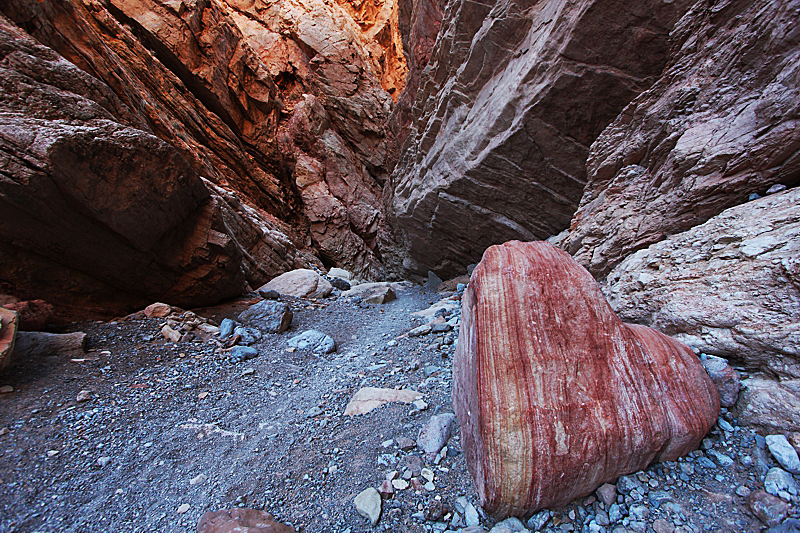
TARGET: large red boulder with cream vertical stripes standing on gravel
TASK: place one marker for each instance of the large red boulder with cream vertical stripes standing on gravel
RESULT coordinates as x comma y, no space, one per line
554,394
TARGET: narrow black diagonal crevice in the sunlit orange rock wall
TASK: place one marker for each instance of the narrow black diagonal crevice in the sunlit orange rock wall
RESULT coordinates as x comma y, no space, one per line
194,84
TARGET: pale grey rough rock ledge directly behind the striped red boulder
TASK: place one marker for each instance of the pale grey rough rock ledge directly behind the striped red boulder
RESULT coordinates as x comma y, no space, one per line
729,287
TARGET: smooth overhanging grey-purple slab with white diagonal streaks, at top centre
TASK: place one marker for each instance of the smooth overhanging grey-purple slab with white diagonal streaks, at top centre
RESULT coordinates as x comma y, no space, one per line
512,96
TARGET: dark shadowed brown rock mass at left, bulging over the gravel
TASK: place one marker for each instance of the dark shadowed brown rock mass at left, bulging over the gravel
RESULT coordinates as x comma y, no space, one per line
99,215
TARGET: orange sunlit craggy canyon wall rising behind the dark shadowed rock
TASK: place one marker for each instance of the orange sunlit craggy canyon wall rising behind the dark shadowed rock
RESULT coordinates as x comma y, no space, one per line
284,104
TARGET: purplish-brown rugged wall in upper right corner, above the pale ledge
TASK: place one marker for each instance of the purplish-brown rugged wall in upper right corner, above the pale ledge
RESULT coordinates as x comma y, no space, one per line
720,124
